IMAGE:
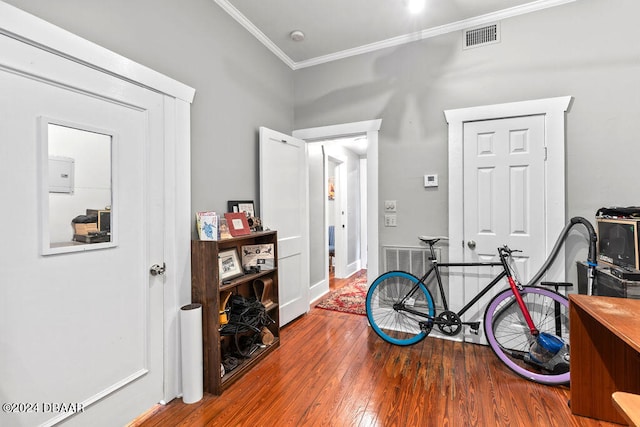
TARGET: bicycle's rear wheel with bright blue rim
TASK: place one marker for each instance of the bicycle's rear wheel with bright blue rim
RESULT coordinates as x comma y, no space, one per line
399,308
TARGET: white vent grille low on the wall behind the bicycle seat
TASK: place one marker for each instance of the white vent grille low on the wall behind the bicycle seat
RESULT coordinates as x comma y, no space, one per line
416,261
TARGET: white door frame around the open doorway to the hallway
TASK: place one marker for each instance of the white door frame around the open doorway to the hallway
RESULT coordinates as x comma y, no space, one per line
370,128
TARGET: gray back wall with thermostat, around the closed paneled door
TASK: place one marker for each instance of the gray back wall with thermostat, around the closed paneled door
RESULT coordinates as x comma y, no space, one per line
585,49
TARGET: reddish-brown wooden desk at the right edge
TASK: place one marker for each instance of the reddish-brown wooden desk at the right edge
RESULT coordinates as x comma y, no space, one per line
605,353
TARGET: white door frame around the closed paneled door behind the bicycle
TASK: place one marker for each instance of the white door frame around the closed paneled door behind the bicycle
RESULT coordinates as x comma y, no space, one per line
554,111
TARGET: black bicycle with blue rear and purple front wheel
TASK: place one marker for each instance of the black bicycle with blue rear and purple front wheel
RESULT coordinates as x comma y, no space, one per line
527,327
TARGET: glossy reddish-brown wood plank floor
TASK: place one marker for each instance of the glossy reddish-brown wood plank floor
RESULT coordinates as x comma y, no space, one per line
332,370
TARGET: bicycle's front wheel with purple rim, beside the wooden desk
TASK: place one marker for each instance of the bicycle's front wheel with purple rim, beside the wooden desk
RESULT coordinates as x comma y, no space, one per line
543,358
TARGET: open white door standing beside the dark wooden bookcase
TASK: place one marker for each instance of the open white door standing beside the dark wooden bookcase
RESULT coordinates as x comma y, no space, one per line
284,207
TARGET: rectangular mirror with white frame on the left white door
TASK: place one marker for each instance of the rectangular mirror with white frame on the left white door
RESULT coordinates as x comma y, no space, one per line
77,187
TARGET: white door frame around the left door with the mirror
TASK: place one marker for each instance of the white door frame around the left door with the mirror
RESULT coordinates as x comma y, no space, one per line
178,97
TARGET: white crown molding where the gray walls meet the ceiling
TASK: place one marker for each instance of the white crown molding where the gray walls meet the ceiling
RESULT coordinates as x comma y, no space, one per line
392,42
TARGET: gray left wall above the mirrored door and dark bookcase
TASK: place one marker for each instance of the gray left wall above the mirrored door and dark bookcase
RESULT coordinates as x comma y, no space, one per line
240,85
